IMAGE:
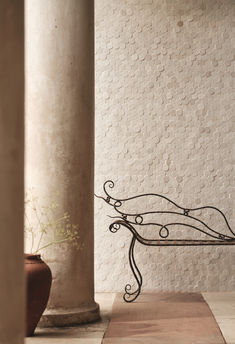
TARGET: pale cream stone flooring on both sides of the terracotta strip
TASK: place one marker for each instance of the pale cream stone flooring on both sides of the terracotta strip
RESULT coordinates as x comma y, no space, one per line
221,304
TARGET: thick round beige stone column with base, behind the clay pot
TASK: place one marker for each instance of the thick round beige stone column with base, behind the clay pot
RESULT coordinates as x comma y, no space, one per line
60,143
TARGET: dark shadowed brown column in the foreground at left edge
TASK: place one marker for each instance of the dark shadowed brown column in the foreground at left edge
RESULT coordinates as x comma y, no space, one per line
12,298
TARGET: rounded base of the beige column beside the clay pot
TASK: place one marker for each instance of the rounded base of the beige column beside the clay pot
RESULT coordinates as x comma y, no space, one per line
67,317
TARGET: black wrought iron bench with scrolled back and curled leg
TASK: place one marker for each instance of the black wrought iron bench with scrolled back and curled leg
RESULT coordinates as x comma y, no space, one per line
131,221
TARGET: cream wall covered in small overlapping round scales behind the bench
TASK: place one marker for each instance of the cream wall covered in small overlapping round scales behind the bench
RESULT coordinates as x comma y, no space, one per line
165,123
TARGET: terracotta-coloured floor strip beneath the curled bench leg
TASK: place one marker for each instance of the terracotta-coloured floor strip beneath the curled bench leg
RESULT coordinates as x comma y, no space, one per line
167,318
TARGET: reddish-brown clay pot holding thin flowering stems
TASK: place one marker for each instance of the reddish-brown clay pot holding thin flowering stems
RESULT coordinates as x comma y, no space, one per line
38,285
